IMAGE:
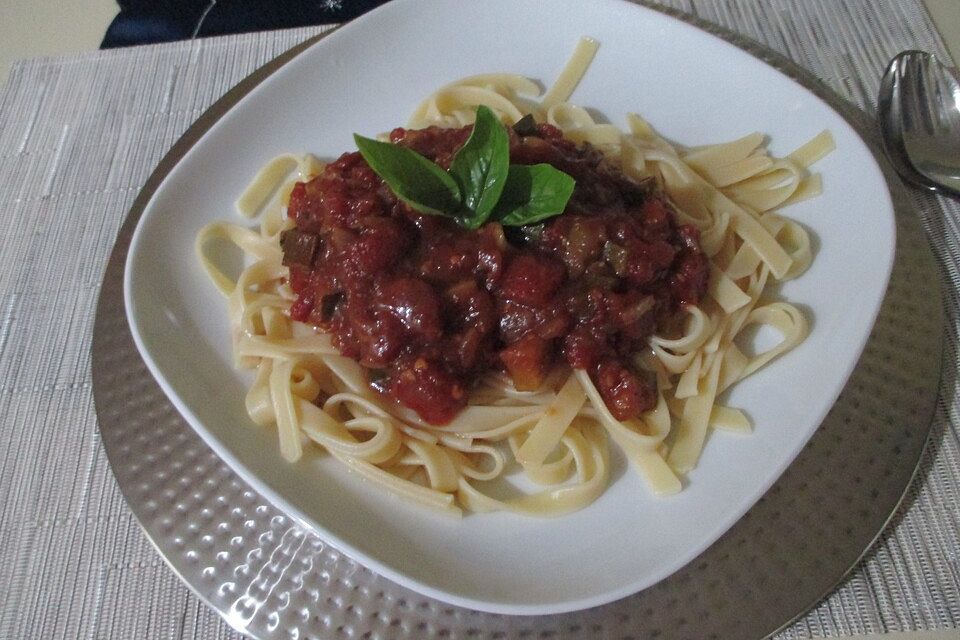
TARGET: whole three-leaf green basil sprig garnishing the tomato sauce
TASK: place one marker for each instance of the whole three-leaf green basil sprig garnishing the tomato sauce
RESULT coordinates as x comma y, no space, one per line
481,182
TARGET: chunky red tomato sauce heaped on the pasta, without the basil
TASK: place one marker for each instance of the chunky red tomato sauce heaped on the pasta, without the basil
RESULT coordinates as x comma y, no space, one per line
427,306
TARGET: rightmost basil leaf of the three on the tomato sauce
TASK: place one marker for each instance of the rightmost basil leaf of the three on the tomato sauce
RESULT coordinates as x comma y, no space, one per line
533,193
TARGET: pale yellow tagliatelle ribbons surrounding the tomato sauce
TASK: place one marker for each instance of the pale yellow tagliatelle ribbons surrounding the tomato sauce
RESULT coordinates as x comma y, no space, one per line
558,435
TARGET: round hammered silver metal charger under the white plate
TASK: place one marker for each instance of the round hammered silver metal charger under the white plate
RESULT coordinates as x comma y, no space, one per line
269,577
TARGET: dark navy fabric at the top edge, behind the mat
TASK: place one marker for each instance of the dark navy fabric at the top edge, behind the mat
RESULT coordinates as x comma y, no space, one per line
151,21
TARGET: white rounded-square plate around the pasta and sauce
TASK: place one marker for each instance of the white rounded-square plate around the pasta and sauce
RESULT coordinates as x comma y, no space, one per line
367,78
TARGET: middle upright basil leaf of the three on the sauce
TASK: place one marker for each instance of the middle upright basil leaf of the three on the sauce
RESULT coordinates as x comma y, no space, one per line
480,167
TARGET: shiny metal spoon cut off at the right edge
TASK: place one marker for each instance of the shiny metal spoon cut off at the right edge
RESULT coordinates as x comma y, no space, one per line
919,111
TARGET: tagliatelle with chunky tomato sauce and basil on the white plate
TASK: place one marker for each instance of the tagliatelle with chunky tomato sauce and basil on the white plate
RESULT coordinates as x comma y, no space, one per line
505,285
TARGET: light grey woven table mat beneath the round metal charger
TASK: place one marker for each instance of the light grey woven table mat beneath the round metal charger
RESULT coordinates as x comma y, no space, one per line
79,135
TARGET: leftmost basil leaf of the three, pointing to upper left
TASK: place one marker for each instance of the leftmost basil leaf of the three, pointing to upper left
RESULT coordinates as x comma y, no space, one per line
414,179
